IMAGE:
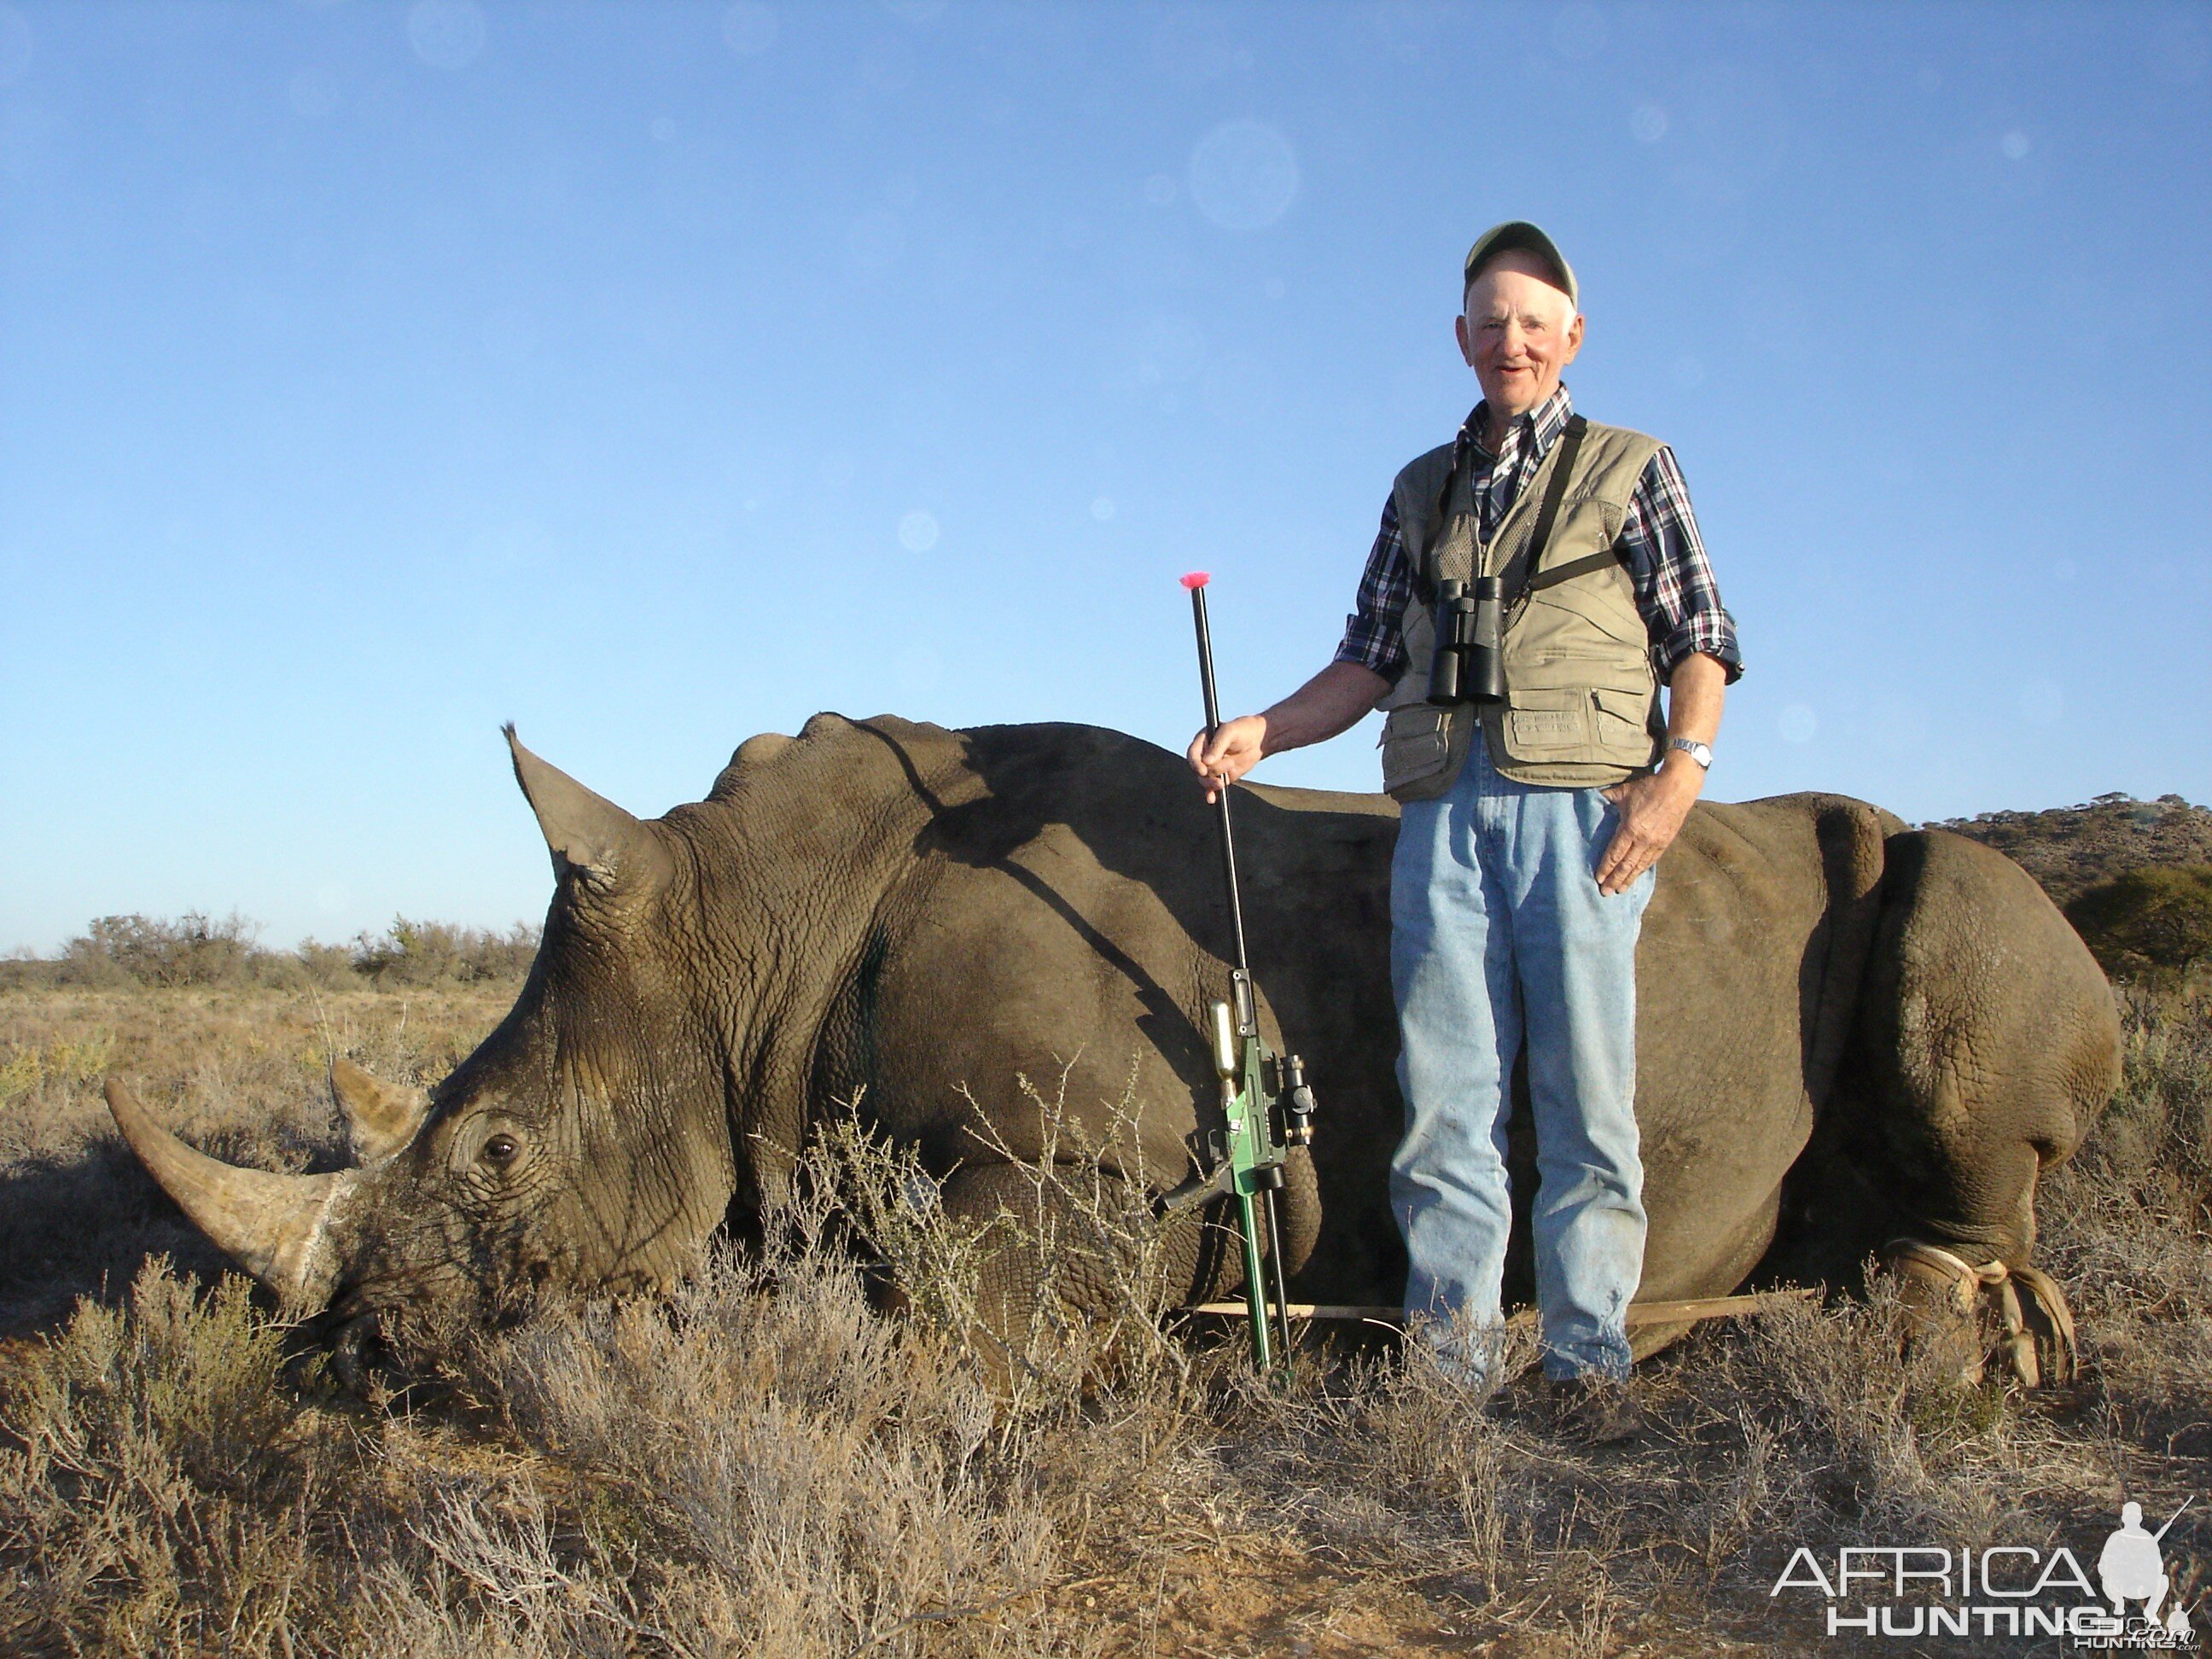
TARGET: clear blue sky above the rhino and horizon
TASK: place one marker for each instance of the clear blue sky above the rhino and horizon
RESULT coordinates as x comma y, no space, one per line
656,375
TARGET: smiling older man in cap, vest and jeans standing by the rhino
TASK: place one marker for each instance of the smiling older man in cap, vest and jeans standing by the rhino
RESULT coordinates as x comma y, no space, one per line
1530,831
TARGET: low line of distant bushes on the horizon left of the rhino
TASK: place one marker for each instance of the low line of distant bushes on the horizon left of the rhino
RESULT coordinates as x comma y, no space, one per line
227,952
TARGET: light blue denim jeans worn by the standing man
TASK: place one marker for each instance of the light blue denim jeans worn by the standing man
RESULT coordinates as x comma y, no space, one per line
1501,939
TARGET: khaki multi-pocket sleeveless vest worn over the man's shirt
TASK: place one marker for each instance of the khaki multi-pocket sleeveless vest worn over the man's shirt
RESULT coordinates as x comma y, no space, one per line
1583,702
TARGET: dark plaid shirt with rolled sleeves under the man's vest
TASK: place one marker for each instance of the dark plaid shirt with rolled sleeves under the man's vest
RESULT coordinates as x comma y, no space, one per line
1667,561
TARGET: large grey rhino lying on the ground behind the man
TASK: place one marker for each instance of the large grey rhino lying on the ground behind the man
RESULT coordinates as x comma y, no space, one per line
1848,1032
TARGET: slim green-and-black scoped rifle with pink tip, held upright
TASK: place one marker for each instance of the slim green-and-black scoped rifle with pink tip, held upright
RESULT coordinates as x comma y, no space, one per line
1253,1140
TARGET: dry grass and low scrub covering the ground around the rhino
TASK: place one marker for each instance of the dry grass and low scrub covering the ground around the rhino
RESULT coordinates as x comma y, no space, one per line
775,1468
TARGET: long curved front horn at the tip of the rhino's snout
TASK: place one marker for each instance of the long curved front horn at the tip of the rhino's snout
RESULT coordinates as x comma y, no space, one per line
275,1227
